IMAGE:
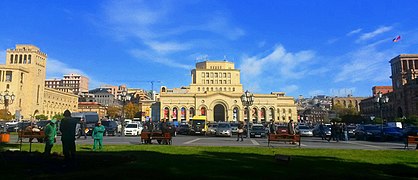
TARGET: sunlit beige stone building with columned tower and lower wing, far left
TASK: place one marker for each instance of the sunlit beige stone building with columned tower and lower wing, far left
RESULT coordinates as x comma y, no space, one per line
24,75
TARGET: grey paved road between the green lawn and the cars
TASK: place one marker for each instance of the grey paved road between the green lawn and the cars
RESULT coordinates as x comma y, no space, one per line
306,142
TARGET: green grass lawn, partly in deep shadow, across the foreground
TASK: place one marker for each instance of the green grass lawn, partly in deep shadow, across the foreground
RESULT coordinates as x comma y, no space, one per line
160,161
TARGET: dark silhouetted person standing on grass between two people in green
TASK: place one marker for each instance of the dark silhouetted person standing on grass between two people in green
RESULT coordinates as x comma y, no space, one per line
67,128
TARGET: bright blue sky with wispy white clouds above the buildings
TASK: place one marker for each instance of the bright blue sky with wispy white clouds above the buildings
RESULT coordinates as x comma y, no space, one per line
299,47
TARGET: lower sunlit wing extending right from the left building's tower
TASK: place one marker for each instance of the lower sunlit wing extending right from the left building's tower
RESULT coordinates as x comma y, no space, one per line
56,102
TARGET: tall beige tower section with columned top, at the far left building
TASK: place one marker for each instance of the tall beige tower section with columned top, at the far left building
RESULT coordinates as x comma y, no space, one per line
28,78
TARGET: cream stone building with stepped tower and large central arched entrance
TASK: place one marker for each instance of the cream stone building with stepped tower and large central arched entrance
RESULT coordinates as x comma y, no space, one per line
215,92
